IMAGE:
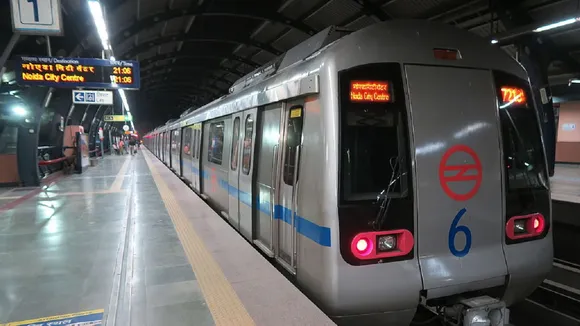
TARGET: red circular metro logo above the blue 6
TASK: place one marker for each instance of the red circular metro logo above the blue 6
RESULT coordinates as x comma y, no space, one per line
461,170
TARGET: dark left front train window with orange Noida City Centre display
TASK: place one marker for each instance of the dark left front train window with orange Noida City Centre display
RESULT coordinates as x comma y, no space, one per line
368,125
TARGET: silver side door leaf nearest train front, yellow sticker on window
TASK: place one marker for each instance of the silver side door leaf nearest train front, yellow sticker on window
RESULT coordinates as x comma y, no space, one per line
288,184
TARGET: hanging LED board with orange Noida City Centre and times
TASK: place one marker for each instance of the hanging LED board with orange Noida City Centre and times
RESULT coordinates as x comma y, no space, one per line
77,72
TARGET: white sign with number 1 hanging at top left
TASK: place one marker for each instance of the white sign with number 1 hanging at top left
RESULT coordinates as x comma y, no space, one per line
37,17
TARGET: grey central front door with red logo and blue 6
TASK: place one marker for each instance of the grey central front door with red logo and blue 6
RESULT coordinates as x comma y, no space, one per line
458,176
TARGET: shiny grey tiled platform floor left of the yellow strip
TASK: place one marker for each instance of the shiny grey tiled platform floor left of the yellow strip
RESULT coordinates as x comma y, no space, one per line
60,252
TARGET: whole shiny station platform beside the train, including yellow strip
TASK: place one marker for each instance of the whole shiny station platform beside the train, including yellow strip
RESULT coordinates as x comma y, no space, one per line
127,243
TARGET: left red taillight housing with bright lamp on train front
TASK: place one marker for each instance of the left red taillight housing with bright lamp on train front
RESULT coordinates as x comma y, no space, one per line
384,244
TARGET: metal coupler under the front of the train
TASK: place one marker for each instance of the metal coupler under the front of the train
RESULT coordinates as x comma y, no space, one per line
478,311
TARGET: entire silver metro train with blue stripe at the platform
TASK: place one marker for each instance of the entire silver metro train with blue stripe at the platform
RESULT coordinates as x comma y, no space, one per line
397,166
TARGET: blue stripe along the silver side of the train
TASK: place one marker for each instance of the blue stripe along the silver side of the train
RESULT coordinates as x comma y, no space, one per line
311,230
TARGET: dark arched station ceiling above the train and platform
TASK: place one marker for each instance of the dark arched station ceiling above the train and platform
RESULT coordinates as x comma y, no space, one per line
192,51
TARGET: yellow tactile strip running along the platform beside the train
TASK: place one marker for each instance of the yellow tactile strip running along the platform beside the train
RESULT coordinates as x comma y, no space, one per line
223,302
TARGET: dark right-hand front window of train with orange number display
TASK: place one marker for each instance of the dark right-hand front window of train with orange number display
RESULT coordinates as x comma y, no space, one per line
526,183
